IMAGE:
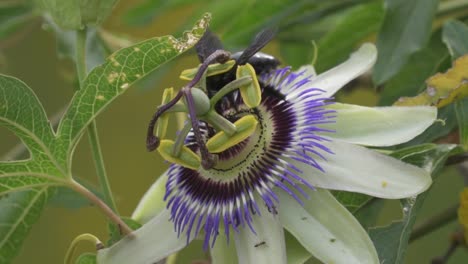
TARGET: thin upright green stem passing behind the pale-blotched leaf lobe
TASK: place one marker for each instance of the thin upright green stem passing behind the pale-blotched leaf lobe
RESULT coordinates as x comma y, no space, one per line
92,128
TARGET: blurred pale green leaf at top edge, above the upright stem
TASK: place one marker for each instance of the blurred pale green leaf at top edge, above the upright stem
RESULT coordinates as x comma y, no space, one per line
75,14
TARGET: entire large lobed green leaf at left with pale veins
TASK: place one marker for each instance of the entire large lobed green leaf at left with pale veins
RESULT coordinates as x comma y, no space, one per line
51,153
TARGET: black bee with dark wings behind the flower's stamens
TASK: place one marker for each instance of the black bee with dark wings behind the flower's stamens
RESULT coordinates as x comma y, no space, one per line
261,62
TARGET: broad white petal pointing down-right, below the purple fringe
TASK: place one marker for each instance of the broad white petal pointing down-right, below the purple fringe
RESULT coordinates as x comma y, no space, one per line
325,228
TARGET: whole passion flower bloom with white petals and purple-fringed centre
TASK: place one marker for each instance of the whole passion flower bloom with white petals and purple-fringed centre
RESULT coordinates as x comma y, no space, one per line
278,175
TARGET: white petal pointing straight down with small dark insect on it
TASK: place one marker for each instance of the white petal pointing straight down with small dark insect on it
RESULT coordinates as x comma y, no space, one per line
265,247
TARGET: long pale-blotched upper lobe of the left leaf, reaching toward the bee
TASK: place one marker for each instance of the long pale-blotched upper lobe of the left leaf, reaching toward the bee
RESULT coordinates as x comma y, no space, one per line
111,79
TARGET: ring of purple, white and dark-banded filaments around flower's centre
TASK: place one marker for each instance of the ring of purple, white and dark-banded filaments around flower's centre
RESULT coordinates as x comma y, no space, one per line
291,112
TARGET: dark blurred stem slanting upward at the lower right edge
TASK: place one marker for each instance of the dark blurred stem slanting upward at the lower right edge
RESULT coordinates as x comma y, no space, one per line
435,222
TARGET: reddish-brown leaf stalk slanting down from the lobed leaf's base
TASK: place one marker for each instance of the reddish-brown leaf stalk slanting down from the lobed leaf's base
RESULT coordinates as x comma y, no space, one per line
103,206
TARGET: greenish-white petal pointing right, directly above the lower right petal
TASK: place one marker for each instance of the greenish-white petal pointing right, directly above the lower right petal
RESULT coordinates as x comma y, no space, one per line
379,126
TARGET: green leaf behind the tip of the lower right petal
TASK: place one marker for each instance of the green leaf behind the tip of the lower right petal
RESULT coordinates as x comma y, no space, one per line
391,241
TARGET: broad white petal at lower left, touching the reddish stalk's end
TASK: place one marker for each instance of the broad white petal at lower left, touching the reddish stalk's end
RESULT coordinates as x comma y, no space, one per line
152,242
